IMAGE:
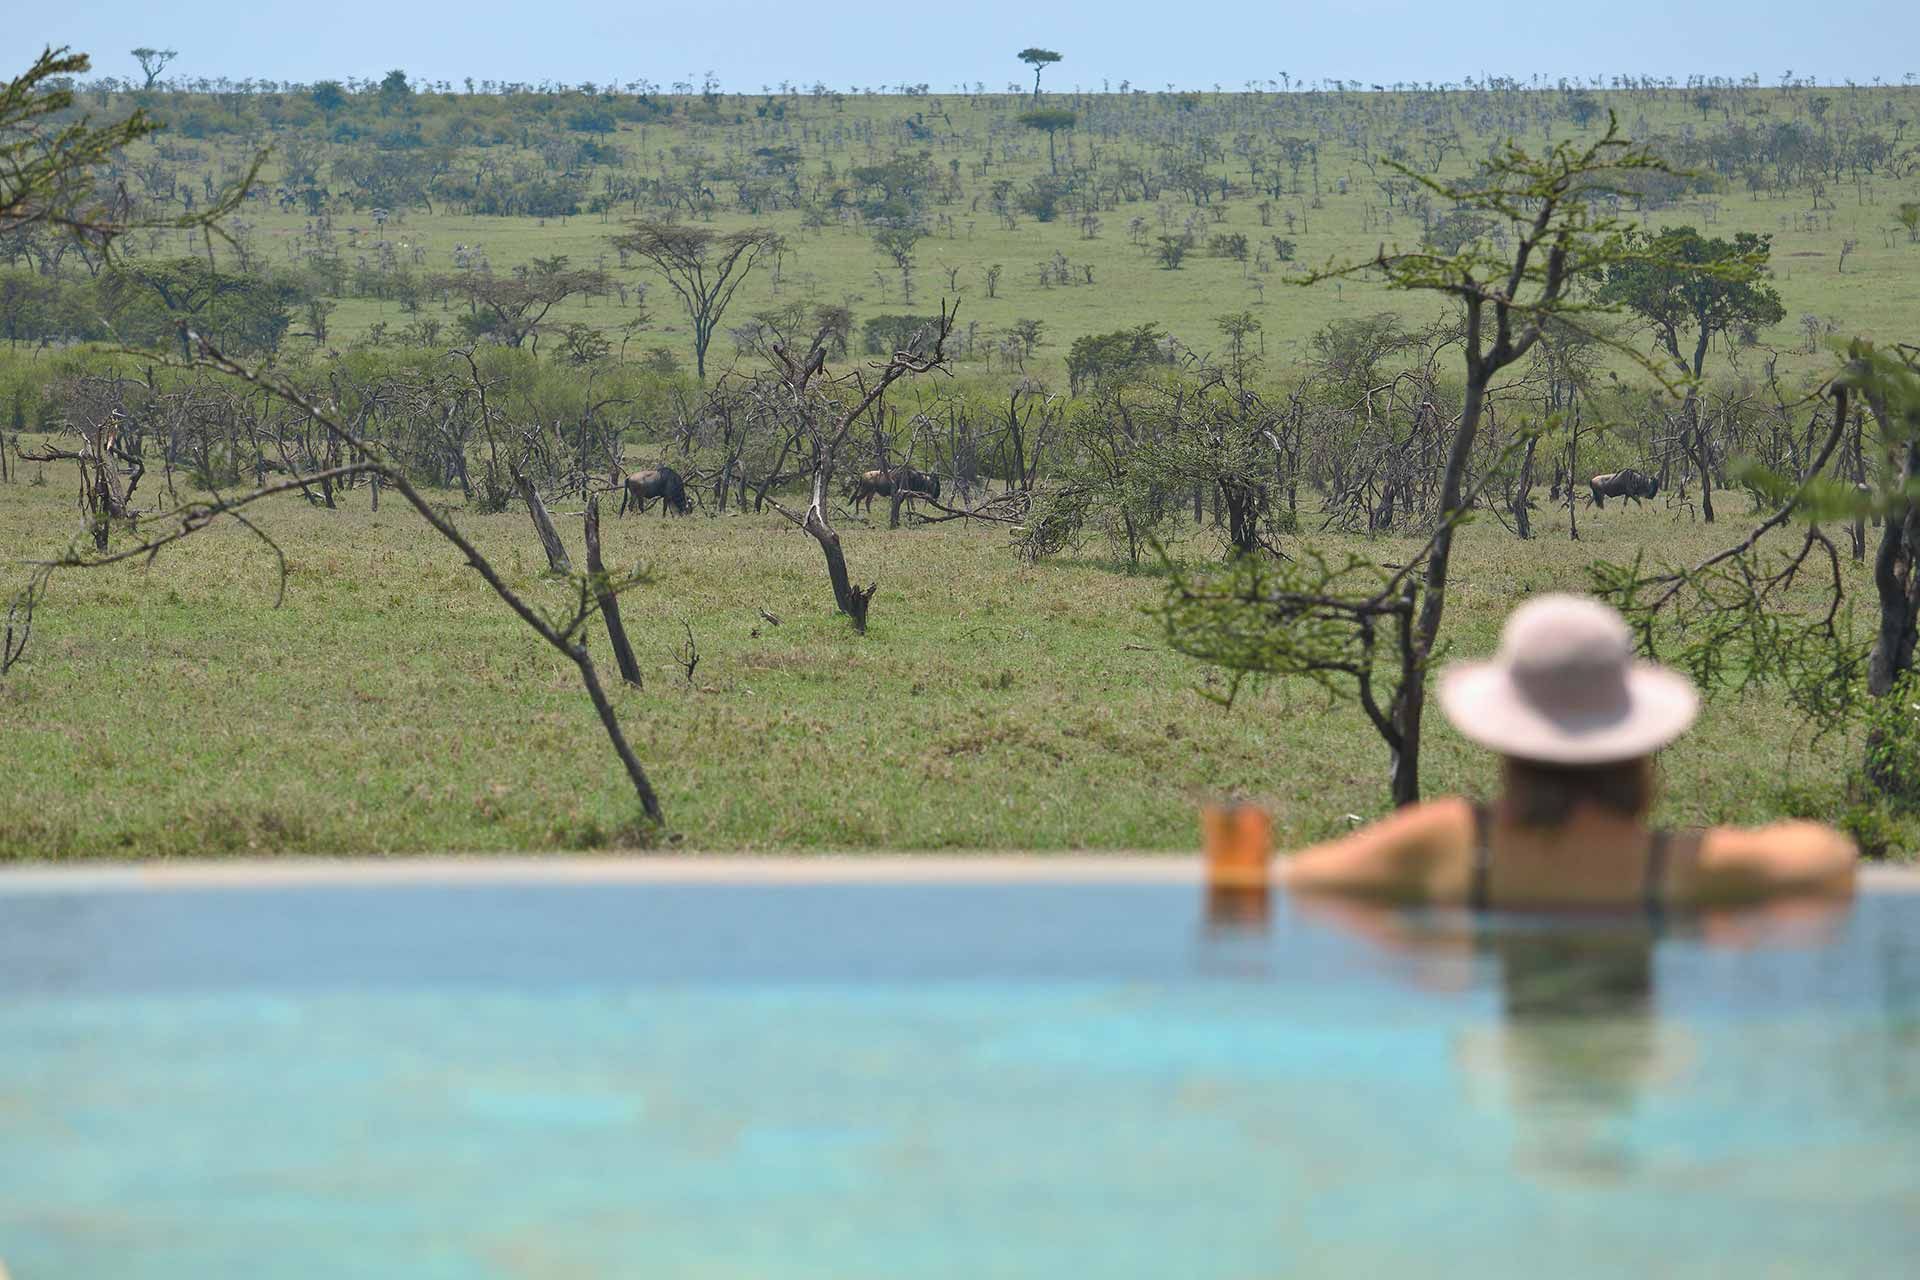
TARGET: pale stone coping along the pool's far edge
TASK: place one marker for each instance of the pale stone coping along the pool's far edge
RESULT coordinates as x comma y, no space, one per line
667,870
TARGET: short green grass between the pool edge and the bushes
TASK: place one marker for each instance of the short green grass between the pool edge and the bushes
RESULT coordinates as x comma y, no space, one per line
393,705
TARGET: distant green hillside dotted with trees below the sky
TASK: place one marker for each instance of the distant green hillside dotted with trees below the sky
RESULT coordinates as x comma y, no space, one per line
368,202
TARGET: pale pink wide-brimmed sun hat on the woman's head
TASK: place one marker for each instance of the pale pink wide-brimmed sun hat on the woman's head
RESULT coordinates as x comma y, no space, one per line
1566,690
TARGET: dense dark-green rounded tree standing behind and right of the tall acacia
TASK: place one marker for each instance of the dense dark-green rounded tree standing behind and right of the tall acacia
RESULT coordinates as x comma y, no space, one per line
1685,283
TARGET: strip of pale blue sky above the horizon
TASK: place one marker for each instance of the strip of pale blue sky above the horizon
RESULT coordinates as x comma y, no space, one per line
754,43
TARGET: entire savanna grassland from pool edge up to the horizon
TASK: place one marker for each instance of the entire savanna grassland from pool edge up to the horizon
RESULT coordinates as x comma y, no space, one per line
391,703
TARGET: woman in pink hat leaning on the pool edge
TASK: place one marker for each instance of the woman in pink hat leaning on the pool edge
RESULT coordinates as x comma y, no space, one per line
1575,721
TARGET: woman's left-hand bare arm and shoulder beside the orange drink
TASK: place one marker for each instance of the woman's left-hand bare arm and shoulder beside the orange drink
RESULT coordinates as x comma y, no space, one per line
1410,855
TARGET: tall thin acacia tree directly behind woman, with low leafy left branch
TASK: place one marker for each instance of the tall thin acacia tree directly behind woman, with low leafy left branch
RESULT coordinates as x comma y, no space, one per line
1314,619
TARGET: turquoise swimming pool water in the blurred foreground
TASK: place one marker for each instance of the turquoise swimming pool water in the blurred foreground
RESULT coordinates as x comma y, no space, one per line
942,1081
